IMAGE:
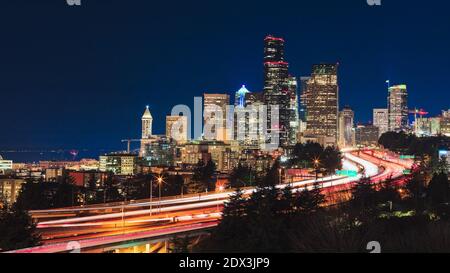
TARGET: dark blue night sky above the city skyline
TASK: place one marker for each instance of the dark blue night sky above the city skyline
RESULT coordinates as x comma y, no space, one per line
80,77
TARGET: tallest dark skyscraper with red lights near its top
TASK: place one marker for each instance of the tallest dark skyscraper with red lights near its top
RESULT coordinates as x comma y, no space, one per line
276,88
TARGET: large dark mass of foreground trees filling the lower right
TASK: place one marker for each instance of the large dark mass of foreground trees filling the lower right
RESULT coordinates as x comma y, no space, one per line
407,218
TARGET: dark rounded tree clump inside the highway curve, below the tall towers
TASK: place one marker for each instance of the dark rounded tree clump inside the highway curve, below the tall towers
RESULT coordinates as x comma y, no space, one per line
305,155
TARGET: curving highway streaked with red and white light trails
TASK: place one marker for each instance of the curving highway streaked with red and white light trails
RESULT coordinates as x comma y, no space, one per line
174,215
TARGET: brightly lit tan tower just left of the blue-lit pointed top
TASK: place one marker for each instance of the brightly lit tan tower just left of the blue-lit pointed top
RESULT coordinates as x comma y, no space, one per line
212,104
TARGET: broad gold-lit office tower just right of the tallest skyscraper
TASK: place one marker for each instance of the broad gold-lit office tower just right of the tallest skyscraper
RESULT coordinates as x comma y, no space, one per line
321,100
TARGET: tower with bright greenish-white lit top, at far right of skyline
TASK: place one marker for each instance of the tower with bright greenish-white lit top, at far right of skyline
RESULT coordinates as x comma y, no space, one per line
398,108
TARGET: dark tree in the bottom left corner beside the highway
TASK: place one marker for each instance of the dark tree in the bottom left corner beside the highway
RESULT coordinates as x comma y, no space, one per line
16,229
